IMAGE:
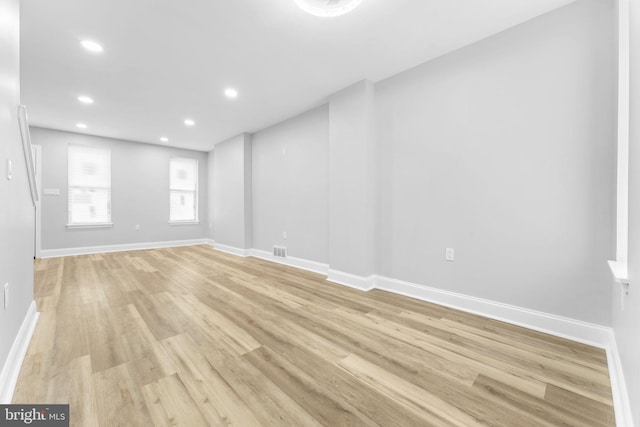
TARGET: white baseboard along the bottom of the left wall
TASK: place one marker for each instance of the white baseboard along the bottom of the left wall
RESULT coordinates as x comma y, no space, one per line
11,368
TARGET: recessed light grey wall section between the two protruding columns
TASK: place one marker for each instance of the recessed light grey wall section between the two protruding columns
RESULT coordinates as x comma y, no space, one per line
290,186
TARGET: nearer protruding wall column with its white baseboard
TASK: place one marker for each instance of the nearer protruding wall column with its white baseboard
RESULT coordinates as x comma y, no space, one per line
351,186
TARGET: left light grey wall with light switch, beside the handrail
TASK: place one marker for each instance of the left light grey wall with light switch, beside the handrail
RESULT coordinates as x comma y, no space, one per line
16,209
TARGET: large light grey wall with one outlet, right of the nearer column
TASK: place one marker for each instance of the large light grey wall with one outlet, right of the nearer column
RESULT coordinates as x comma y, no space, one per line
504,151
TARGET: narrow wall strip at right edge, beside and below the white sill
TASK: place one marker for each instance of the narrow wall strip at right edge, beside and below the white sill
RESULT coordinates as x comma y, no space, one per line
626,320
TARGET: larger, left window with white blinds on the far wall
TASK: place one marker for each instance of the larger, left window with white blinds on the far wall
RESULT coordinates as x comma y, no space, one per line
89,186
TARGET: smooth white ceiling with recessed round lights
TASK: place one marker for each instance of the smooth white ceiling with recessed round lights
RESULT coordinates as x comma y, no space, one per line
166,60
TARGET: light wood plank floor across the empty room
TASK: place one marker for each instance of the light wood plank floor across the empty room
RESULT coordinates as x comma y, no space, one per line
195,337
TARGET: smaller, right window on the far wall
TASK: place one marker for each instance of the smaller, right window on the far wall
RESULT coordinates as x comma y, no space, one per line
183,190
